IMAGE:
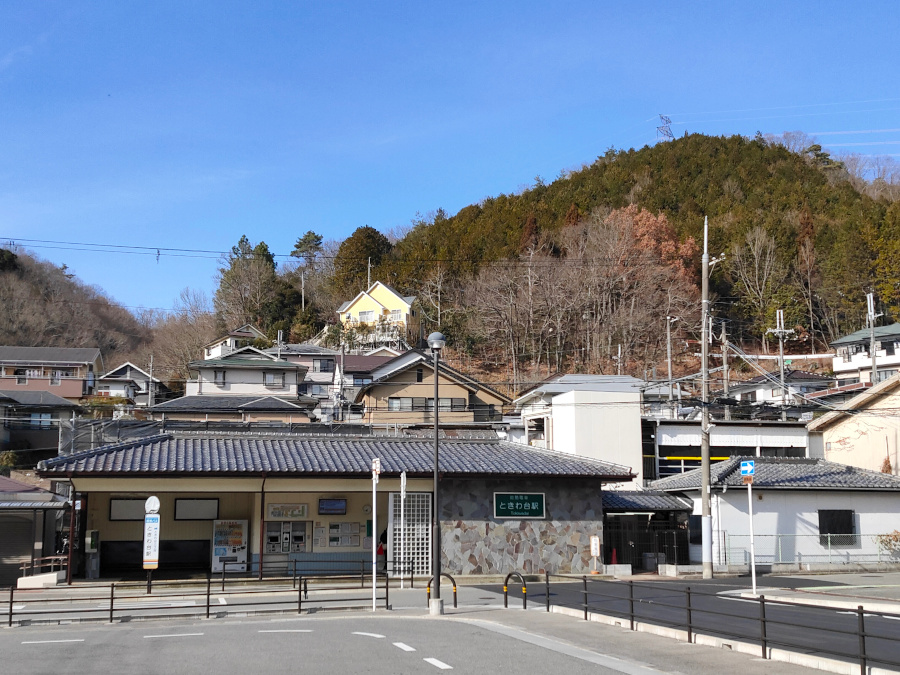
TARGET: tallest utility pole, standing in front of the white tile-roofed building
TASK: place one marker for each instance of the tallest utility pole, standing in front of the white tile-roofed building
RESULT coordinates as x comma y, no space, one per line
706,513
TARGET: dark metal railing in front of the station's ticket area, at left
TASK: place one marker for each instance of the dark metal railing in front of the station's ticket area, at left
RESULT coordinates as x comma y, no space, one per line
127,600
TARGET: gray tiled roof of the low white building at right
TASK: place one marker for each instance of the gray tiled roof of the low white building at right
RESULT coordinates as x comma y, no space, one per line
785,474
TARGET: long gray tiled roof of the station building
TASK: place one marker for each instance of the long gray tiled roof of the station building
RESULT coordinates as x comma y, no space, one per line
170,454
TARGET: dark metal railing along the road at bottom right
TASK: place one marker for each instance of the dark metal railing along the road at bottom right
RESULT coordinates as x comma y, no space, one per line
848,634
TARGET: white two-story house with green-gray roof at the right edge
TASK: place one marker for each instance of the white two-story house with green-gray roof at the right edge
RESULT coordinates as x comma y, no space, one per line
852,362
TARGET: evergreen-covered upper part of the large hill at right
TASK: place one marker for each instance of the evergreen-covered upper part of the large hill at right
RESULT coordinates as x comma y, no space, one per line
800,232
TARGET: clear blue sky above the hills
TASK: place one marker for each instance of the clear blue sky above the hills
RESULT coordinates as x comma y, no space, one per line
186,125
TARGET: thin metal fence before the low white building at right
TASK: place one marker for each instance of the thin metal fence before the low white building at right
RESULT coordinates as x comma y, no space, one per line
773,549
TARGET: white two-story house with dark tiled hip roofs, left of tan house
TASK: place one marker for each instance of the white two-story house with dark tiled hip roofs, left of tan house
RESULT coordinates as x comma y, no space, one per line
247,385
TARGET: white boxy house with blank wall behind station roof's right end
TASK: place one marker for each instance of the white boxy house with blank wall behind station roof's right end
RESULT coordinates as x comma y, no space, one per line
595,416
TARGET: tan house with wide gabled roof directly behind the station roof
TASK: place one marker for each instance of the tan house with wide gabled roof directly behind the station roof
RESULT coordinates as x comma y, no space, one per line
402,392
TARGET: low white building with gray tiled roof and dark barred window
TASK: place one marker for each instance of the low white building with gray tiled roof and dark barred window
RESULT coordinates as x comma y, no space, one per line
807,513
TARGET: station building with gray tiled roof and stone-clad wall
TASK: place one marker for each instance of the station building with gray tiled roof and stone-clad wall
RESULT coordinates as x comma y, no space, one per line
503,506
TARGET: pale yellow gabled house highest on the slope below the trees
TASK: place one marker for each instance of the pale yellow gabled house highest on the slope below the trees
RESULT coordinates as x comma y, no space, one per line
381,314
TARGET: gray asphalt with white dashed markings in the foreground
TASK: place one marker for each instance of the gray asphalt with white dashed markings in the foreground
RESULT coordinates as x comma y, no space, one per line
347,644
